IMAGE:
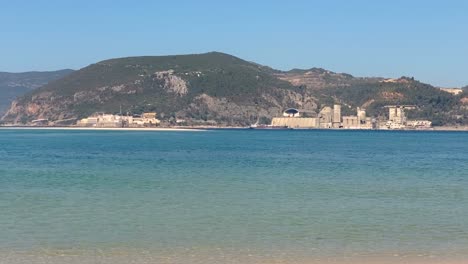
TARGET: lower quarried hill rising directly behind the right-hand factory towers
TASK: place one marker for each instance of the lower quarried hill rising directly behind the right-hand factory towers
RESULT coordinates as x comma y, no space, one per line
438,106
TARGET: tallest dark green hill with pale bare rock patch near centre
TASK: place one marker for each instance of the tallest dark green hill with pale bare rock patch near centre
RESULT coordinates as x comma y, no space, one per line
205,87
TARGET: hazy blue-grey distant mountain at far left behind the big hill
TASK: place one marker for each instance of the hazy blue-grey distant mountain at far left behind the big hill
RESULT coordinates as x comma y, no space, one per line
13,85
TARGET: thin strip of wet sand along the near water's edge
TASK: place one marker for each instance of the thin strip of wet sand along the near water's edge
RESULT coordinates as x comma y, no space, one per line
216,258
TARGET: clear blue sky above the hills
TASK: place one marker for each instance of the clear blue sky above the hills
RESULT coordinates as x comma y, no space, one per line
425,39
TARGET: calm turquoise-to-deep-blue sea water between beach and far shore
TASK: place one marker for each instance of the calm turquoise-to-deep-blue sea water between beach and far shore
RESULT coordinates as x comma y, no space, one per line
313,193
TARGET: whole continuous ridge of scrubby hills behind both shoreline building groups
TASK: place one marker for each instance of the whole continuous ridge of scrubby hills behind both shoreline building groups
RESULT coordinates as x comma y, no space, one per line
217,88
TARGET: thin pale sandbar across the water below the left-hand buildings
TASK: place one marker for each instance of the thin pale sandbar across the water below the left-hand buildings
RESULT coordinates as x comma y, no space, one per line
104,129
